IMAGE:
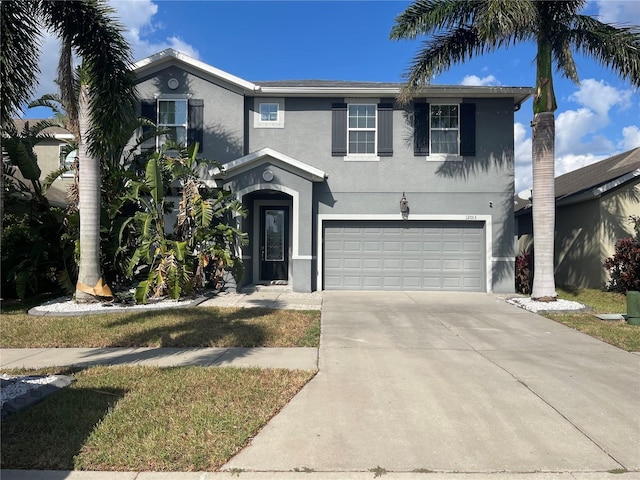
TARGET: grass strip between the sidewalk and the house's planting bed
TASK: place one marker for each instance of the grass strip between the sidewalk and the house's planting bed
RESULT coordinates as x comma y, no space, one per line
177,327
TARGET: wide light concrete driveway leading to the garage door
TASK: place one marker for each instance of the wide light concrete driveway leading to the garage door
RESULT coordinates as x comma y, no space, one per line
454,383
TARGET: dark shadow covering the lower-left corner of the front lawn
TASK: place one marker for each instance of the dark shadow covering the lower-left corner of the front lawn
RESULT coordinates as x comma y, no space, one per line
49,434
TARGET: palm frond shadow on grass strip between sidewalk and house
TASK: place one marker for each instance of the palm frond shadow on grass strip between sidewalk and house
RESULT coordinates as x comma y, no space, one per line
194,327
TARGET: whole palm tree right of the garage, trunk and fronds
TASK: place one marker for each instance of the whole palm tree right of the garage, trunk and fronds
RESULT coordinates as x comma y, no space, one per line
460,29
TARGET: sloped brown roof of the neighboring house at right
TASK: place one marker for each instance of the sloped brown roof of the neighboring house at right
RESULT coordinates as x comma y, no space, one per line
595,179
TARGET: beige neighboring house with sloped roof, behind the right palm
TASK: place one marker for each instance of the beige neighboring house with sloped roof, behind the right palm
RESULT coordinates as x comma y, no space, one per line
593,206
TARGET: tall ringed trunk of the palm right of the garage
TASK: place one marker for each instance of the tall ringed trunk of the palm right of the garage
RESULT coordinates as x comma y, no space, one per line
543,156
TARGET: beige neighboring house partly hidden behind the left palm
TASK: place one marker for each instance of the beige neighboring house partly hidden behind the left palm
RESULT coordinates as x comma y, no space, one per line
50,153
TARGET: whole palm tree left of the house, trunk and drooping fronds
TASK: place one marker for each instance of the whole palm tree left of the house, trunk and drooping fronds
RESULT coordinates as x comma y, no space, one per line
86,28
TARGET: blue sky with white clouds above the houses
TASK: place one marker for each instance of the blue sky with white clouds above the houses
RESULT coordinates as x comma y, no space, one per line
349,40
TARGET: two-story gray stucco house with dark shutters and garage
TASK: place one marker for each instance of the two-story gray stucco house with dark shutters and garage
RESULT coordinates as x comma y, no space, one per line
324,169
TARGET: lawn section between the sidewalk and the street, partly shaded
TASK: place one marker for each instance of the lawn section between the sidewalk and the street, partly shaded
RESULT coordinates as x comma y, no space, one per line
146,418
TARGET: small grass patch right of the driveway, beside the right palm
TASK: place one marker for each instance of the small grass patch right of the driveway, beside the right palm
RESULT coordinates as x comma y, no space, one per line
617,333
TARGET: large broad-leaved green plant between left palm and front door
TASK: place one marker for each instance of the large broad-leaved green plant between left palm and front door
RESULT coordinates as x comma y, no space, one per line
178,260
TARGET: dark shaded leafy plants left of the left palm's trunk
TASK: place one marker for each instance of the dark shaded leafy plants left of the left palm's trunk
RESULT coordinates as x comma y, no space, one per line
37,238
